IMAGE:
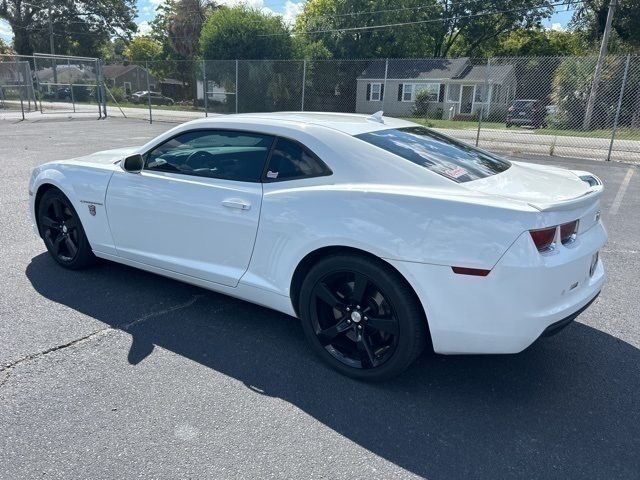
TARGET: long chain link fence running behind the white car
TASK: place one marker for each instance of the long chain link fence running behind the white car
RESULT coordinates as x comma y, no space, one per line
516,105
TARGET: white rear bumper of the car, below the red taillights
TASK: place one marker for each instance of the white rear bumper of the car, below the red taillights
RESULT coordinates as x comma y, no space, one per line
525,295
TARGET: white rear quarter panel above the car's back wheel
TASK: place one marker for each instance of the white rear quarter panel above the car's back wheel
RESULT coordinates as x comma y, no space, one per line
396,223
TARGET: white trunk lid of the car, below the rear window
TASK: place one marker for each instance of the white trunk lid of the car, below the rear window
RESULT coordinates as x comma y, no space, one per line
541,186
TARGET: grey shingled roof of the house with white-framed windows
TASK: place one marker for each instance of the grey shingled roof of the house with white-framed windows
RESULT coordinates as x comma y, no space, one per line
435,69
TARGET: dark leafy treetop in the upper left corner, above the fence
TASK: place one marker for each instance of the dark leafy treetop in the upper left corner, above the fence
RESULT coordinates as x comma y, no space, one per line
80,27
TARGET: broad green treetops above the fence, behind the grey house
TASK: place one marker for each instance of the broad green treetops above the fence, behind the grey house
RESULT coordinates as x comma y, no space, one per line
433,28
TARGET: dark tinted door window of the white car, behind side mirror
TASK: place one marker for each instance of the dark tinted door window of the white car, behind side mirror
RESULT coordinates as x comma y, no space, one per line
229,155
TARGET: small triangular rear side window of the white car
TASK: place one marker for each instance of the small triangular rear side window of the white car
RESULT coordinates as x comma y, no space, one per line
290,160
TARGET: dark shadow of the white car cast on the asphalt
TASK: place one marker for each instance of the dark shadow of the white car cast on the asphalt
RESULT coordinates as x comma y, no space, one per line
567,407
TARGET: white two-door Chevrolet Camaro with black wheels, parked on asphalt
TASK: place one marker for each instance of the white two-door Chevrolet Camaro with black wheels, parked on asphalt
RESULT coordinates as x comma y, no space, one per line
382,236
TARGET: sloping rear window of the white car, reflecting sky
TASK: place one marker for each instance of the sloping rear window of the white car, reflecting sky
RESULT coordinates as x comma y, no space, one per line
441,154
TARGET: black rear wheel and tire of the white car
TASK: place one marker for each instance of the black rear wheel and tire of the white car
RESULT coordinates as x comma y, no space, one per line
361,317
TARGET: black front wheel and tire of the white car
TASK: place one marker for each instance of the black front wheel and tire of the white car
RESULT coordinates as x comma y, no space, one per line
60,228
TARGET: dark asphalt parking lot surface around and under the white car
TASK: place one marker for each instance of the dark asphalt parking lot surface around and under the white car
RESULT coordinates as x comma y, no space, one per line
116,373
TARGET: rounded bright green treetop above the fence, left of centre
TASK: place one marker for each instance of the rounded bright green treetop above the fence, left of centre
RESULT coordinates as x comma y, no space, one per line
244,33
